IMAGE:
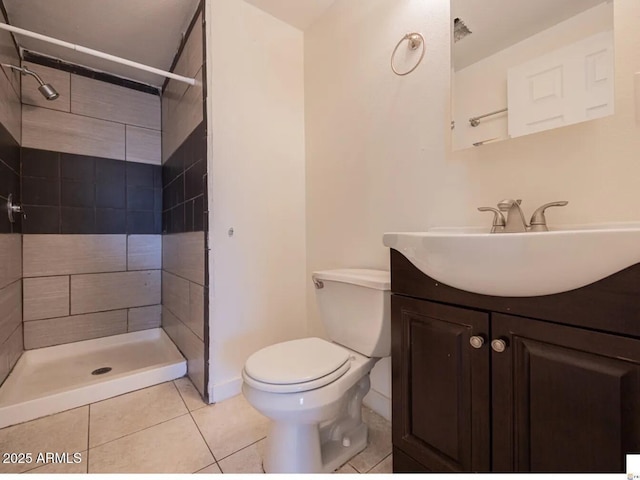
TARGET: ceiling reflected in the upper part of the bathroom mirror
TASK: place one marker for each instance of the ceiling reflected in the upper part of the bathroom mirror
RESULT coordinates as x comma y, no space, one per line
497,24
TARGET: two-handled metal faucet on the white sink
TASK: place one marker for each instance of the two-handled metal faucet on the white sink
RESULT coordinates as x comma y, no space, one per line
514,221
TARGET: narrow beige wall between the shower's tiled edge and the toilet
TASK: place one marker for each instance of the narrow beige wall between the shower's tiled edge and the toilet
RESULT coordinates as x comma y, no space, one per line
256,187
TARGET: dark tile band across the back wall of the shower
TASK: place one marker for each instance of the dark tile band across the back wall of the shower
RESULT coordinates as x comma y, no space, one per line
78,194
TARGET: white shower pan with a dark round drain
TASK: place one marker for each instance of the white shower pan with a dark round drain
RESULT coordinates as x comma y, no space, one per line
53,379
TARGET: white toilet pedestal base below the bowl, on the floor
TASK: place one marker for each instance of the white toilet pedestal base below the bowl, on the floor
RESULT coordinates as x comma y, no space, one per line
318,448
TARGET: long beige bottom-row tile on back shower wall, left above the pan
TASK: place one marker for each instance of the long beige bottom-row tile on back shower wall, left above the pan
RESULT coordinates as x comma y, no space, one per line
55,331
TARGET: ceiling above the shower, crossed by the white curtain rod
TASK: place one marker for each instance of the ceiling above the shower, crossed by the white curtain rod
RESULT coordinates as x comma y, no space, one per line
145,31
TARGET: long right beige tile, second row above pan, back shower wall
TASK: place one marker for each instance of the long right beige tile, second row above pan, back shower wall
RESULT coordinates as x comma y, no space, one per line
109,291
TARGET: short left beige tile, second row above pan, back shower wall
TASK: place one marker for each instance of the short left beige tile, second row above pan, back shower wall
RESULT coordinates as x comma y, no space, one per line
46,297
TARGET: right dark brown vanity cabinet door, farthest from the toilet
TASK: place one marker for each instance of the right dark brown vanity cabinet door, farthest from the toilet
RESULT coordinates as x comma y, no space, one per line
564,399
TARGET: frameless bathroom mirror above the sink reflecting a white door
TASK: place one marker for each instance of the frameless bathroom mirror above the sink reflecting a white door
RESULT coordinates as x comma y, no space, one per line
521,67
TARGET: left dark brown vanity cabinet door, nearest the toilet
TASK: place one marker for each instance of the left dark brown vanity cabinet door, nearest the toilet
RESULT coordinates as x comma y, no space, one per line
440,385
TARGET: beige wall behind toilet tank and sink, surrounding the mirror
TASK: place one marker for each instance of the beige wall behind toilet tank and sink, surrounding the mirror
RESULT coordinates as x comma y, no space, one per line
378,145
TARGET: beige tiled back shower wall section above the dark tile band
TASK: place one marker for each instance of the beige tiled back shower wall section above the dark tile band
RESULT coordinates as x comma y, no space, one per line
91,118
